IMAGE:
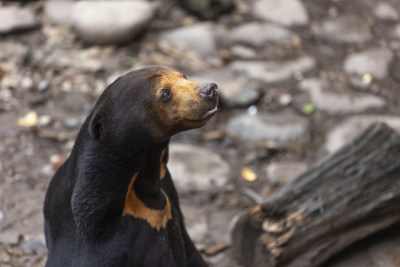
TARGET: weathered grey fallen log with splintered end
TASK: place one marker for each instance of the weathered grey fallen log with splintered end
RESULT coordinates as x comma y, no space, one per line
350,196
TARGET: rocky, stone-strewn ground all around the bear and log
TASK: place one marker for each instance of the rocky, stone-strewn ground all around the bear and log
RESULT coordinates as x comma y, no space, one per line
298,80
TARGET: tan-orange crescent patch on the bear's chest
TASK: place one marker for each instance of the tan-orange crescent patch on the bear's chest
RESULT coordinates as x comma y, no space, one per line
134,206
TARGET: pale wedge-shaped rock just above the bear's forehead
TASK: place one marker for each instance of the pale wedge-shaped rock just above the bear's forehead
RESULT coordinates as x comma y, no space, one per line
199,38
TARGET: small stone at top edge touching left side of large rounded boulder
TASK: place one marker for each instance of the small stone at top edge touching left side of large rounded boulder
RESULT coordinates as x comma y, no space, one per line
59,12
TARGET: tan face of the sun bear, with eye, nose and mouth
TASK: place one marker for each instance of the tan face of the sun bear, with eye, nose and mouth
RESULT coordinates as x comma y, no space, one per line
179,104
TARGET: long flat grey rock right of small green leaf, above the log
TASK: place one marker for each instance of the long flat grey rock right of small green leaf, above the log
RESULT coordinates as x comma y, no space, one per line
334,102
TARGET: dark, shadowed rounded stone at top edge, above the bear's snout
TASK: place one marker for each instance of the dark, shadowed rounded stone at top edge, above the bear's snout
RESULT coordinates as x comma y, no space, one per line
208,9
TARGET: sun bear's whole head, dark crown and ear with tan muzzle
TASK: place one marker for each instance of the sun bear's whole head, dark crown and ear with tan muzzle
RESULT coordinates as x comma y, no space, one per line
151,102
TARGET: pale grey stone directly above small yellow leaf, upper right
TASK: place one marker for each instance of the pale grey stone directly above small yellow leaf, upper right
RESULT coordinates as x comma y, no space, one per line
373,61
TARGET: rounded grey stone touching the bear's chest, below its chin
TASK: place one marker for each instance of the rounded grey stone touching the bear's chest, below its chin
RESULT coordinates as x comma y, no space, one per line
196,169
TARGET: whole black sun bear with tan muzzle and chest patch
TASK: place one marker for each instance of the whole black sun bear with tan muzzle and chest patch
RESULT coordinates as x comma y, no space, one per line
113,202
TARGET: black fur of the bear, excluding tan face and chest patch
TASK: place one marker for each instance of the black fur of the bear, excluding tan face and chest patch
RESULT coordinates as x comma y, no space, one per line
83,208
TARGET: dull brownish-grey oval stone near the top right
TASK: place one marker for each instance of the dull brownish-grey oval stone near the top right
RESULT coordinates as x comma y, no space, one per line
346,30
